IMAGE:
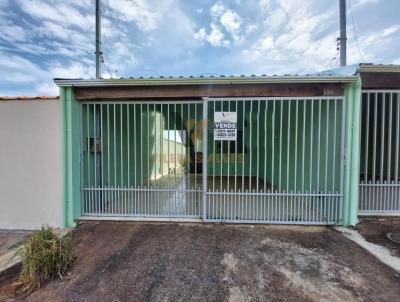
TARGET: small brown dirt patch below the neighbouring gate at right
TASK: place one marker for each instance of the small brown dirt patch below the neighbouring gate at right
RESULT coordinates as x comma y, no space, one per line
376,229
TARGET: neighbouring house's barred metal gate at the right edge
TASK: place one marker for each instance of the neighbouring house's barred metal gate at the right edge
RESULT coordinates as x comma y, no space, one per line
379,164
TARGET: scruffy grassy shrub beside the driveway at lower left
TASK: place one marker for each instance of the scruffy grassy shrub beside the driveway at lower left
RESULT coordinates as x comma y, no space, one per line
45,256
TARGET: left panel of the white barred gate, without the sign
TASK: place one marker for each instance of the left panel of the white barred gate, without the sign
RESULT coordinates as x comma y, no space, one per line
139,159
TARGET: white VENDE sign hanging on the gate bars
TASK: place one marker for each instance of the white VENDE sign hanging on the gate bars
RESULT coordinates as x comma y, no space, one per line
225,126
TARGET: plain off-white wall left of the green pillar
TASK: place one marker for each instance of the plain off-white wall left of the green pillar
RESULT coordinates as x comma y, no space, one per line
30,163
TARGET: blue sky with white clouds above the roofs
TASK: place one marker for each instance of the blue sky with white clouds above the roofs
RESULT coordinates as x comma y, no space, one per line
43,39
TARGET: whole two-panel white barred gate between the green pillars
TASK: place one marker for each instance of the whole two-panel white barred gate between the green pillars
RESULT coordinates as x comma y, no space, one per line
255,160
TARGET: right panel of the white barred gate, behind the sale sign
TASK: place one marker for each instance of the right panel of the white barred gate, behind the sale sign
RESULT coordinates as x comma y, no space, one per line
285,166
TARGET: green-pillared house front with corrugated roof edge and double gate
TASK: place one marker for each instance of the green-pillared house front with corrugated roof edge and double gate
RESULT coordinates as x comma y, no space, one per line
263,149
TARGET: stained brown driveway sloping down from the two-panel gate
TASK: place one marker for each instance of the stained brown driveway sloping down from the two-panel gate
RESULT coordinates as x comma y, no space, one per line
182,262
